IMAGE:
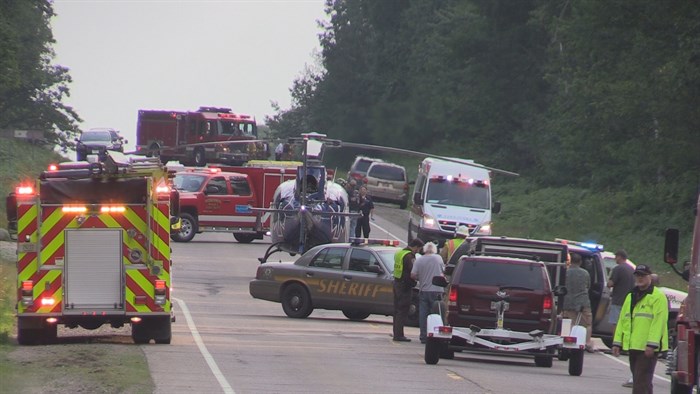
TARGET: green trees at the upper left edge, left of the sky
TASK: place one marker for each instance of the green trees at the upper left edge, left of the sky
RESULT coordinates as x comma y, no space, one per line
31,88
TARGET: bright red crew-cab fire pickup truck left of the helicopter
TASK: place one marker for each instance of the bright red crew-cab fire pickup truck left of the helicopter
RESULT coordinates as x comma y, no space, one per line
220,198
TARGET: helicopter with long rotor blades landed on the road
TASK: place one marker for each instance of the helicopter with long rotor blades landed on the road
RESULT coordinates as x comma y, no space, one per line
313,208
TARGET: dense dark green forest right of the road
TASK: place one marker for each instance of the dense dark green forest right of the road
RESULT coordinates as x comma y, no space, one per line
586,93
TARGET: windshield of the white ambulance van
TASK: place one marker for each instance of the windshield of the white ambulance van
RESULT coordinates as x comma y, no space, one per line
458,193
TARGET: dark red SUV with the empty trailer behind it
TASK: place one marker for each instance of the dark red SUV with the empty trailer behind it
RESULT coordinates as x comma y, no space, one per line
479,280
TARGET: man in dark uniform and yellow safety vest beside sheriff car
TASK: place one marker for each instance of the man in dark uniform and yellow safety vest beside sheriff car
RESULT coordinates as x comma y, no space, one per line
403,286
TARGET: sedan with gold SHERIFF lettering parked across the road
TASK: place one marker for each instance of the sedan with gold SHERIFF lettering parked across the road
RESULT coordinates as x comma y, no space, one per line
355,278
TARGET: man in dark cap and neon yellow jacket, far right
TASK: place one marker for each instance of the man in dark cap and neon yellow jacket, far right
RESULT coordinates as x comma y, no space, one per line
642,329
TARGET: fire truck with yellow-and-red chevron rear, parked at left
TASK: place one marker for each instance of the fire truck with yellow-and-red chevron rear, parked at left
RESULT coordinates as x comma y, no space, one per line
93,248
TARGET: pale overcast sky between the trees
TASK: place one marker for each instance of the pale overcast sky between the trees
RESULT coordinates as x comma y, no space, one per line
127,55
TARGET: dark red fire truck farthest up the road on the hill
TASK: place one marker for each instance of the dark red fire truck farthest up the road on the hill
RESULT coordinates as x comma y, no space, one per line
207,135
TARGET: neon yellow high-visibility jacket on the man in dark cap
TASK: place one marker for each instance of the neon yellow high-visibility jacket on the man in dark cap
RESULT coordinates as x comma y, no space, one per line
646,325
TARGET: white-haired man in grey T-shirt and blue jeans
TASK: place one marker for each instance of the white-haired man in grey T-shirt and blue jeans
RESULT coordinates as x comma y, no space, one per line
426,267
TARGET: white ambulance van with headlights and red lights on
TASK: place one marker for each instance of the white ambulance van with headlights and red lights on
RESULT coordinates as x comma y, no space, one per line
447,195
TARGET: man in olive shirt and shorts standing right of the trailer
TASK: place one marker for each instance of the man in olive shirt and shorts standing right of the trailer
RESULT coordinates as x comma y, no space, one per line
576,300
